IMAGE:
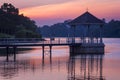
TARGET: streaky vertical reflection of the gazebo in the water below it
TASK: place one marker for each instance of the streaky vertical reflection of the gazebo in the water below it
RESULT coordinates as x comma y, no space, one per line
85,67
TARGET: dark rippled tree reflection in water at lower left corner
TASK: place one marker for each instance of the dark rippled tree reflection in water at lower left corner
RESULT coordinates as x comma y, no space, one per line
11,68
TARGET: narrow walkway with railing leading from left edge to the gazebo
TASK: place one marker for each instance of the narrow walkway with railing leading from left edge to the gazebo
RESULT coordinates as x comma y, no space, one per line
38,43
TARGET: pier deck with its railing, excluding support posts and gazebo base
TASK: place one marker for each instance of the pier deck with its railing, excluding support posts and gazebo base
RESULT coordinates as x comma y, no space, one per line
56,42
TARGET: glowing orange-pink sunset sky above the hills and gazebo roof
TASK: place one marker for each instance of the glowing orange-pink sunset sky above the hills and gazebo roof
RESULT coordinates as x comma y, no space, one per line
73,9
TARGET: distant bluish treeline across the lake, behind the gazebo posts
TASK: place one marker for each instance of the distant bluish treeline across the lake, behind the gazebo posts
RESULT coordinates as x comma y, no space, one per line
110,29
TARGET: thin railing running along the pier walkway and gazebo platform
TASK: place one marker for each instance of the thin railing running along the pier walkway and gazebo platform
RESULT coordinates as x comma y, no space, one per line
49,41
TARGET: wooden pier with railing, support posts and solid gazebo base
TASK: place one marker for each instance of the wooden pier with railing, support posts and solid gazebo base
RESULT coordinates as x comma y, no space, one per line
76,47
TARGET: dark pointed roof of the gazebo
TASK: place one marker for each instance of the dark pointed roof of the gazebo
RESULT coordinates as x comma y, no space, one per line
86,18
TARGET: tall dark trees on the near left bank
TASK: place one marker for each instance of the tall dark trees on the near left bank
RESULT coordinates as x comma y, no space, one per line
13,24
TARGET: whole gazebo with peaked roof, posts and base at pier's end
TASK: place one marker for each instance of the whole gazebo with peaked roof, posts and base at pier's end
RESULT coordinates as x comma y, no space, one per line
88,21
